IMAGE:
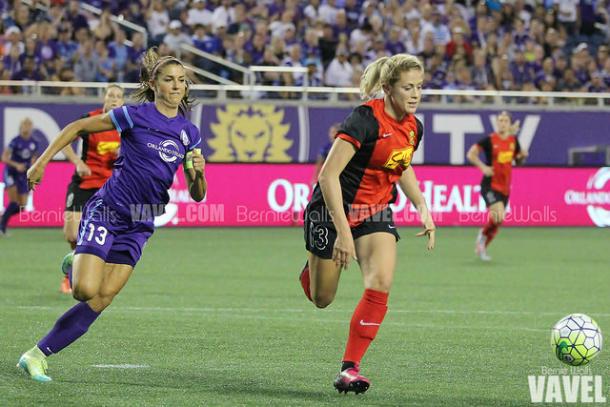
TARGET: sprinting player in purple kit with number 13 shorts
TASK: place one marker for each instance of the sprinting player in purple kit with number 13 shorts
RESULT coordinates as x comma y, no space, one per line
118,220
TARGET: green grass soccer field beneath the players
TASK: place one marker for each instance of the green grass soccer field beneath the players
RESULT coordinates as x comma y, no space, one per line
217,317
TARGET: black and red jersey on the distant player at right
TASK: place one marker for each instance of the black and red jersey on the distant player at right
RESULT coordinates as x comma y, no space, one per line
499,154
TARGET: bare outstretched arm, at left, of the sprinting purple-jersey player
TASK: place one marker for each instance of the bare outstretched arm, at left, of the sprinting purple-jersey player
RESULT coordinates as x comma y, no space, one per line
66,136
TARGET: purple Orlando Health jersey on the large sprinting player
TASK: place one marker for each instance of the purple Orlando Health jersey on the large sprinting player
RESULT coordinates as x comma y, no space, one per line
153,147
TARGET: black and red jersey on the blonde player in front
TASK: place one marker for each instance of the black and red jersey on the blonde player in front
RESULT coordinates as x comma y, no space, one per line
384,150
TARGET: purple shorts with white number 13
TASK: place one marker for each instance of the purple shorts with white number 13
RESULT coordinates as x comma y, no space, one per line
107,234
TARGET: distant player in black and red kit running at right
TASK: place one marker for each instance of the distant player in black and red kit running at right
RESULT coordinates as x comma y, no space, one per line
501,149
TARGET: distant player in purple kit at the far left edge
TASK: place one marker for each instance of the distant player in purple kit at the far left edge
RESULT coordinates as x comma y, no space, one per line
17,157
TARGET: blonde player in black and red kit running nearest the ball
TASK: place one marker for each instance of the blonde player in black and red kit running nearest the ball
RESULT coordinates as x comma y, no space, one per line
349,215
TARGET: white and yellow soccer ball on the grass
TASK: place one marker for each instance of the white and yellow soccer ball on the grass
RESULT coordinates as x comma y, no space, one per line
576,339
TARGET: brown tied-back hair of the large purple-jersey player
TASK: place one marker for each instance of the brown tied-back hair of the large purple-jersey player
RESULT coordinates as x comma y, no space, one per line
152,64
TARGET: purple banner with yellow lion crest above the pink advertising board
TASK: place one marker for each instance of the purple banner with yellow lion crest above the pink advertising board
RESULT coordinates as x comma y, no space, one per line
262,132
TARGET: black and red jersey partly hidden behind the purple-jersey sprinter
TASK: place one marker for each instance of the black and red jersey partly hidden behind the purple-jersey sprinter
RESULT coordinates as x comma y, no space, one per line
99,152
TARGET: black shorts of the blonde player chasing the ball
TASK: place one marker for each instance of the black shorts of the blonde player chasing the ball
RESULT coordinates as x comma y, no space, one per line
320,232
